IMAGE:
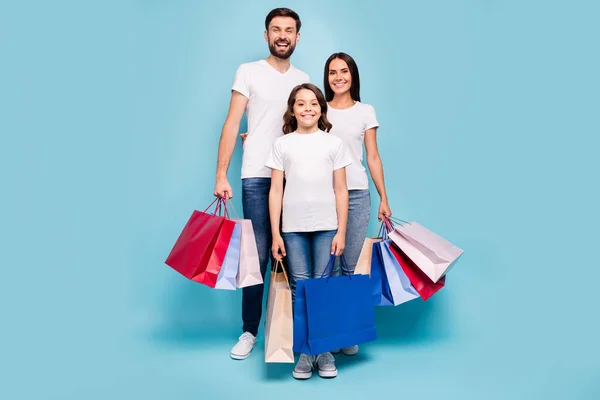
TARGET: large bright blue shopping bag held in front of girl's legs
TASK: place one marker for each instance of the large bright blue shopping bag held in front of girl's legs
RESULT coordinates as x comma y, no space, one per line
333,312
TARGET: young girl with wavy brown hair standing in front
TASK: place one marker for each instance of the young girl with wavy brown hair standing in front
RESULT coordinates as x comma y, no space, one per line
315,202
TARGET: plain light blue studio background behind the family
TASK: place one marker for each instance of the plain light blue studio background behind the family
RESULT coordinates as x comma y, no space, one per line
110,117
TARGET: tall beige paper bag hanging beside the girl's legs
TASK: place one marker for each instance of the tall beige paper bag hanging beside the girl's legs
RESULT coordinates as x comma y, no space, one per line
279,325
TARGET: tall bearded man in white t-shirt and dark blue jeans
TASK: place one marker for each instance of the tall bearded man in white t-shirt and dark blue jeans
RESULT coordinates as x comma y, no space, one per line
261,89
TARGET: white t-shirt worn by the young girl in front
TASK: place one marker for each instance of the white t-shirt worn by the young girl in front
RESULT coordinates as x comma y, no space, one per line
308,161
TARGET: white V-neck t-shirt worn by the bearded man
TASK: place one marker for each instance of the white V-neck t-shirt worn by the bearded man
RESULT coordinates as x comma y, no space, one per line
267,91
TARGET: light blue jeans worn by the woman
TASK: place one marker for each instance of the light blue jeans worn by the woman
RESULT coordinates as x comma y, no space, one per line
359,211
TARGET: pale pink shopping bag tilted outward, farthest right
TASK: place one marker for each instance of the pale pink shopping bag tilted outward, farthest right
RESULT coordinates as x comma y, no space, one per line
434,255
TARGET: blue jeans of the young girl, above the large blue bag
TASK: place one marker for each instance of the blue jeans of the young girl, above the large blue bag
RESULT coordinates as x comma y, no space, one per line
307,255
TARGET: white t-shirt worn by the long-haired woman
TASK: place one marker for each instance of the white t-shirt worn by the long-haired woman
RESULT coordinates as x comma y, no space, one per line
350,125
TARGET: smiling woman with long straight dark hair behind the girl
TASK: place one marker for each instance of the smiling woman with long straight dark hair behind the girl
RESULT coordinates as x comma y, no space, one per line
355,123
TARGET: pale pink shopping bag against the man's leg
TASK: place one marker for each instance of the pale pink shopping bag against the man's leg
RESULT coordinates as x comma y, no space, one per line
249,269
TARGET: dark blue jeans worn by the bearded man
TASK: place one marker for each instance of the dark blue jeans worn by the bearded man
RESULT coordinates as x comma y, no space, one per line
255,202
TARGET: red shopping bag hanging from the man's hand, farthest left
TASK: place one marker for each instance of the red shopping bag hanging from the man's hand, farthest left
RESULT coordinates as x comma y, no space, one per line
199,251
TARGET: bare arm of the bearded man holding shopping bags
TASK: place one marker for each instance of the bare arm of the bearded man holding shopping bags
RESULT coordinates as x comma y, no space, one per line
229,133
